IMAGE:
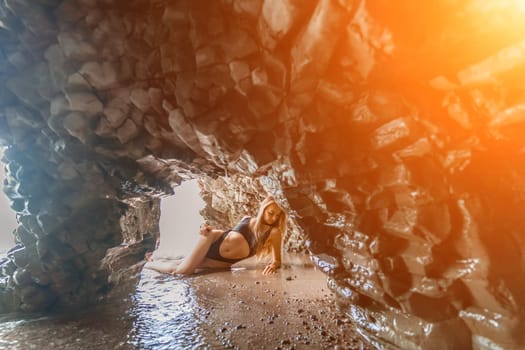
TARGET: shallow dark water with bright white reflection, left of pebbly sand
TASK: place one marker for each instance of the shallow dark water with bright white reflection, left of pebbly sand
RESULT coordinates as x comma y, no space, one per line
160,313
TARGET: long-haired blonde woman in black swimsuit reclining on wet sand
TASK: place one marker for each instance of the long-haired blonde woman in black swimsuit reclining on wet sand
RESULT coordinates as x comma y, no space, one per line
221,249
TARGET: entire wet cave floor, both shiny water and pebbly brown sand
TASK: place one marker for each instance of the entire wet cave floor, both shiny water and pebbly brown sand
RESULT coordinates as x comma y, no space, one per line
237,309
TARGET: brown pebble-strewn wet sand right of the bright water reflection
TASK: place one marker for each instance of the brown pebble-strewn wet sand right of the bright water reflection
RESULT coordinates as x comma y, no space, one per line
292,309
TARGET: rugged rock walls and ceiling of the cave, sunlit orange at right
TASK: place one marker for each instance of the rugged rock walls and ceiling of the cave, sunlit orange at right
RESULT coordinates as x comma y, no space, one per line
390,131
